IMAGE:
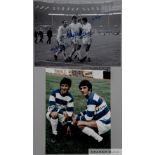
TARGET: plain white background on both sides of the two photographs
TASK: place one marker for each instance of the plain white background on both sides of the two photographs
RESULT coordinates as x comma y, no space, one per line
16,63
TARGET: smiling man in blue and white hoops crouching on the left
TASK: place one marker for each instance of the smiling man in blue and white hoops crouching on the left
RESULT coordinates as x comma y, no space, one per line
60,107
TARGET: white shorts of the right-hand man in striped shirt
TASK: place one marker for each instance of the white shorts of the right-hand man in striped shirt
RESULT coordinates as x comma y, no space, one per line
103,128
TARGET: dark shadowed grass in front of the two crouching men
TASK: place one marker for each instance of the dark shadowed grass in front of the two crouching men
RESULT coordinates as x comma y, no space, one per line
78,143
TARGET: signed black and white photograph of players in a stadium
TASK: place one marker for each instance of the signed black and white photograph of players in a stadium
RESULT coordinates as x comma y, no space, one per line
79,33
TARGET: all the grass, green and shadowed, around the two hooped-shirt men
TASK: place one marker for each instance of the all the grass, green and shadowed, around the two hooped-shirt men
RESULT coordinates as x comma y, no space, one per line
78,143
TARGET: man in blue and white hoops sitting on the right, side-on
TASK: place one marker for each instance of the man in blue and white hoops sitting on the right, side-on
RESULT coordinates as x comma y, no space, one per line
96,115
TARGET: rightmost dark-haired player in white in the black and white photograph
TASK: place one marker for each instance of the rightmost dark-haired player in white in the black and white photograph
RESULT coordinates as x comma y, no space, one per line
86,38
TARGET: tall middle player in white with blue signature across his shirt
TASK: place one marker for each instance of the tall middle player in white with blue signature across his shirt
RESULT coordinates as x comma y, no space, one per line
75,34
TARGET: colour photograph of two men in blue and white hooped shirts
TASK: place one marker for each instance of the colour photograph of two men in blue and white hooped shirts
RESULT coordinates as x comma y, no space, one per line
78,111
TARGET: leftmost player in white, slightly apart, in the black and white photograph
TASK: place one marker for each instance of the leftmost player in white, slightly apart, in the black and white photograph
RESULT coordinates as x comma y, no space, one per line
61,37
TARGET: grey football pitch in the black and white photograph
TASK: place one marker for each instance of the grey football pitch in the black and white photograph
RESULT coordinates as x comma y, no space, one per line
104,51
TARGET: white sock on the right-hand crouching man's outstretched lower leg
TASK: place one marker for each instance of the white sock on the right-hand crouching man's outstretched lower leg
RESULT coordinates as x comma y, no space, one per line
90,132
